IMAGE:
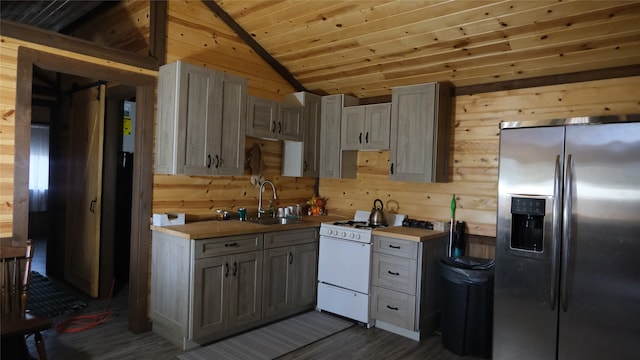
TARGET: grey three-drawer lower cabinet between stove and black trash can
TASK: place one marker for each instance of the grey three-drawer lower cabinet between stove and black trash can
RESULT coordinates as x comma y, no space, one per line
406,291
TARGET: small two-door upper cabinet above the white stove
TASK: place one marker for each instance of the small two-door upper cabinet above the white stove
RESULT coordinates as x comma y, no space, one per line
366,127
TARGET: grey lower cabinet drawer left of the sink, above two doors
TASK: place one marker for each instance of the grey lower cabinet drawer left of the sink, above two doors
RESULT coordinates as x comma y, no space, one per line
228,245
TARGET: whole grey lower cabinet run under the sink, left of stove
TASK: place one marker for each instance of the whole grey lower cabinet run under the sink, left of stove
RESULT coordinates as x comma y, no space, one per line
204,290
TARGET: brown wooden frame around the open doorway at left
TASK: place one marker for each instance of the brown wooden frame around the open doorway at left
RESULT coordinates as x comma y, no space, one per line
142,172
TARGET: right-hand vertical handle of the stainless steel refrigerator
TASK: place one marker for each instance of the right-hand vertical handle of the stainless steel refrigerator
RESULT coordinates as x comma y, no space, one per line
566,231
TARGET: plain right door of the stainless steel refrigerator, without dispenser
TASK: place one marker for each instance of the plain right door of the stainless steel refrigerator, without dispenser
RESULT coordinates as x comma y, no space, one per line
600,314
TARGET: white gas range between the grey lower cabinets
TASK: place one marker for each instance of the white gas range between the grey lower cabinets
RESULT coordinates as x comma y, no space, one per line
344,266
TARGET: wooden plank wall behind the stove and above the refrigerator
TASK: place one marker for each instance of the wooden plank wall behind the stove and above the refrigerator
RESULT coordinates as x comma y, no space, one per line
474,161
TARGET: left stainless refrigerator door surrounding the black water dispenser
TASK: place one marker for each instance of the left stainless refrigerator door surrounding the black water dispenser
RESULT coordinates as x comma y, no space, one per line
525,310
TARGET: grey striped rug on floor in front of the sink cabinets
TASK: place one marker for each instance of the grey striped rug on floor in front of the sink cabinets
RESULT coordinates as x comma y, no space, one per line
273,340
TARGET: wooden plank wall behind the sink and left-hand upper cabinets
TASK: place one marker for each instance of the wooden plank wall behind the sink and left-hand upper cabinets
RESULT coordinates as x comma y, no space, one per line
195,36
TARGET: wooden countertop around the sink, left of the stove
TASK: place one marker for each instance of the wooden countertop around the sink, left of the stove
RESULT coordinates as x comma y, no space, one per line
213,228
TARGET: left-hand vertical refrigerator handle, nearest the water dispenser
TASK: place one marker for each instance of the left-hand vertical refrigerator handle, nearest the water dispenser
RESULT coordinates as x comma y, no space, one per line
556,232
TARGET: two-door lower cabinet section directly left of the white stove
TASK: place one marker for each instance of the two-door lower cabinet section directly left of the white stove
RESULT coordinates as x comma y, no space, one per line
290,272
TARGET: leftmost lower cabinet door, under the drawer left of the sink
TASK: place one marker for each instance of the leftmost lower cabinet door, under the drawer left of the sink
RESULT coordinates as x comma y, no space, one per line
210,298
